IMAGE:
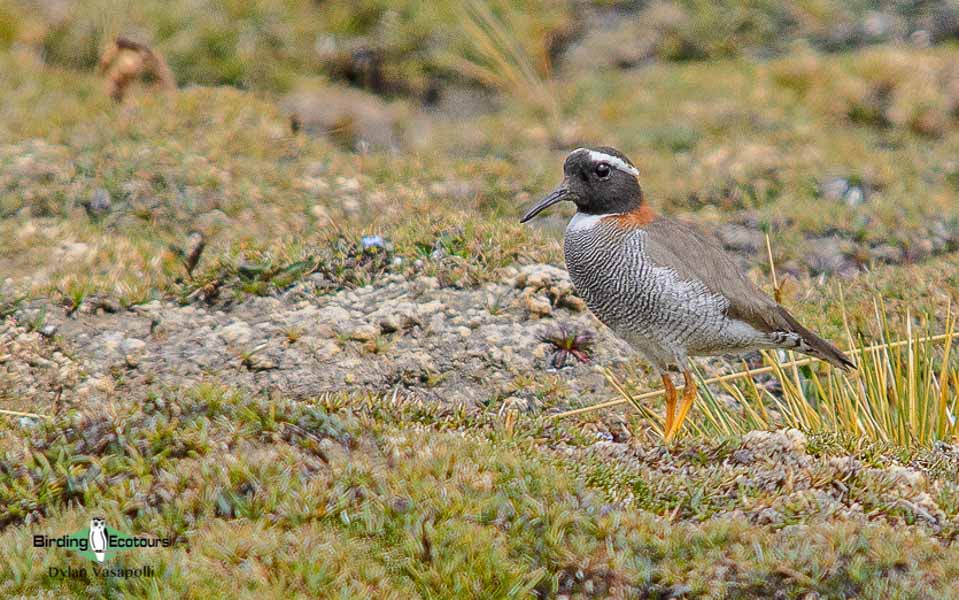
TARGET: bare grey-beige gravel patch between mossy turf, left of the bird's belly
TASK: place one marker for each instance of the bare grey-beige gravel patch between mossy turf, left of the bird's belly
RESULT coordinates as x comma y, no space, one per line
443,344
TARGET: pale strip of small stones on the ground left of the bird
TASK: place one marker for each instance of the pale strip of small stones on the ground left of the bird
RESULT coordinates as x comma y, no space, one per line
433,330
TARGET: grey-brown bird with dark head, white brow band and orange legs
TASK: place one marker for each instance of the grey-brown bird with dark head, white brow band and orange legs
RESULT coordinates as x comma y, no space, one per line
661,284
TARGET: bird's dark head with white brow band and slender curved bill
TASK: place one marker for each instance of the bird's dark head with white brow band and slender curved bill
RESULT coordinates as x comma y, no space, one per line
600,181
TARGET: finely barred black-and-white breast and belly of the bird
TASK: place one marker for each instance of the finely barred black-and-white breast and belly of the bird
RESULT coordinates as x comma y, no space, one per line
661,315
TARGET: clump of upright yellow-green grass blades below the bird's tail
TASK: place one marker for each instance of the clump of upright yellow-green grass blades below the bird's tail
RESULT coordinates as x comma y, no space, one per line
903,393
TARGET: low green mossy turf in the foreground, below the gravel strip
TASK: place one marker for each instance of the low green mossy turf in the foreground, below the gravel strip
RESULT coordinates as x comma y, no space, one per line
292,498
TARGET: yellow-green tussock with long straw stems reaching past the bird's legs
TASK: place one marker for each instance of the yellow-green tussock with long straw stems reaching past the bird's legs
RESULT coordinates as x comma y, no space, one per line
904,391
